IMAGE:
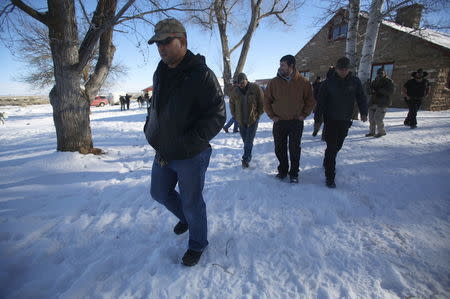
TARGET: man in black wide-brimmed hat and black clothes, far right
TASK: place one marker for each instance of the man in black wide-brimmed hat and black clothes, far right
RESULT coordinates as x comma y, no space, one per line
414,91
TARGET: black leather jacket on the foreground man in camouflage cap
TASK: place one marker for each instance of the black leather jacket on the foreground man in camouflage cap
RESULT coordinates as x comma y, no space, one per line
187,109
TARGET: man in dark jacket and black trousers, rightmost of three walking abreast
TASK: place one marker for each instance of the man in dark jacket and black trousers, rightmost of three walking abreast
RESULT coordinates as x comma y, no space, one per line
337,96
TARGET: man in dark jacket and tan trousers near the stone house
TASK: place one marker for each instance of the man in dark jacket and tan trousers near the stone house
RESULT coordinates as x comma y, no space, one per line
381,90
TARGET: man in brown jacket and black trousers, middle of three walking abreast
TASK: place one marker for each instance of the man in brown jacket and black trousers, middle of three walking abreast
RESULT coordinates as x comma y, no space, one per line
288,101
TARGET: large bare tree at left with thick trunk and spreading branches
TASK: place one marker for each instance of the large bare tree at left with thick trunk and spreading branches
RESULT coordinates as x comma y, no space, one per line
71,55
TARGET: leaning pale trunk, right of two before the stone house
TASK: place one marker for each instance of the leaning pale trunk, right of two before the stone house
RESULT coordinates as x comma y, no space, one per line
370,40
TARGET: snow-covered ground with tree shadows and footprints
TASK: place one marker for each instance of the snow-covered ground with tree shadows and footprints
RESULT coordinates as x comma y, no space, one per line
85,226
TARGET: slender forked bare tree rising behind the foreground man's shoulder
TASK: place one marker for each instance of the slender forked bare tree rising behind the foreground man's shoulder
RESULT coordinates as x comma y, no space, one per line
233,13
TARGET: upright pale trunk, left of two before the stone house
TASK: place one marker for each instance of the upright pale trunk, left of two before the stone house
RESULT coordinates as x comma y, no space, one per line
352,34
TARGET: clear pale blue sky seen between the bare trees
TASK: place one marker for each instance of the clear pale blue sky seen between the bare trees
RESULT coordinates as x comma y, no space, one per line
269,44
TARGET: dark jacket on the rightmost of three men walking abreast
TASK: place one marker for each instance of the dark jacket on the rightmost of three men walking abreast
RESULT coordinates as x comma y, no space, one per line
337,98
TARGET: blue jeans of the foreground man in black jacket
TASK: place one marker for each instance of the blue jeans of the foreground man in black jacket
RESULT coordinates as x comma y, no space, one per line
188,204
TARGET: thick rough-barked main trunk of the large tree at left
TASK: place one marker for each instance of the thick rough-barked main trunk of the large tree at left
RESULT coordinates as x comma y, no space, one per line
70,103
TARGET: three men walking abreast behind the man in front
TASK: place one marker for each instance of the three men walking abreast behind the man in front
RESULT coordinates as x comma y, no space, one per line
288,100
